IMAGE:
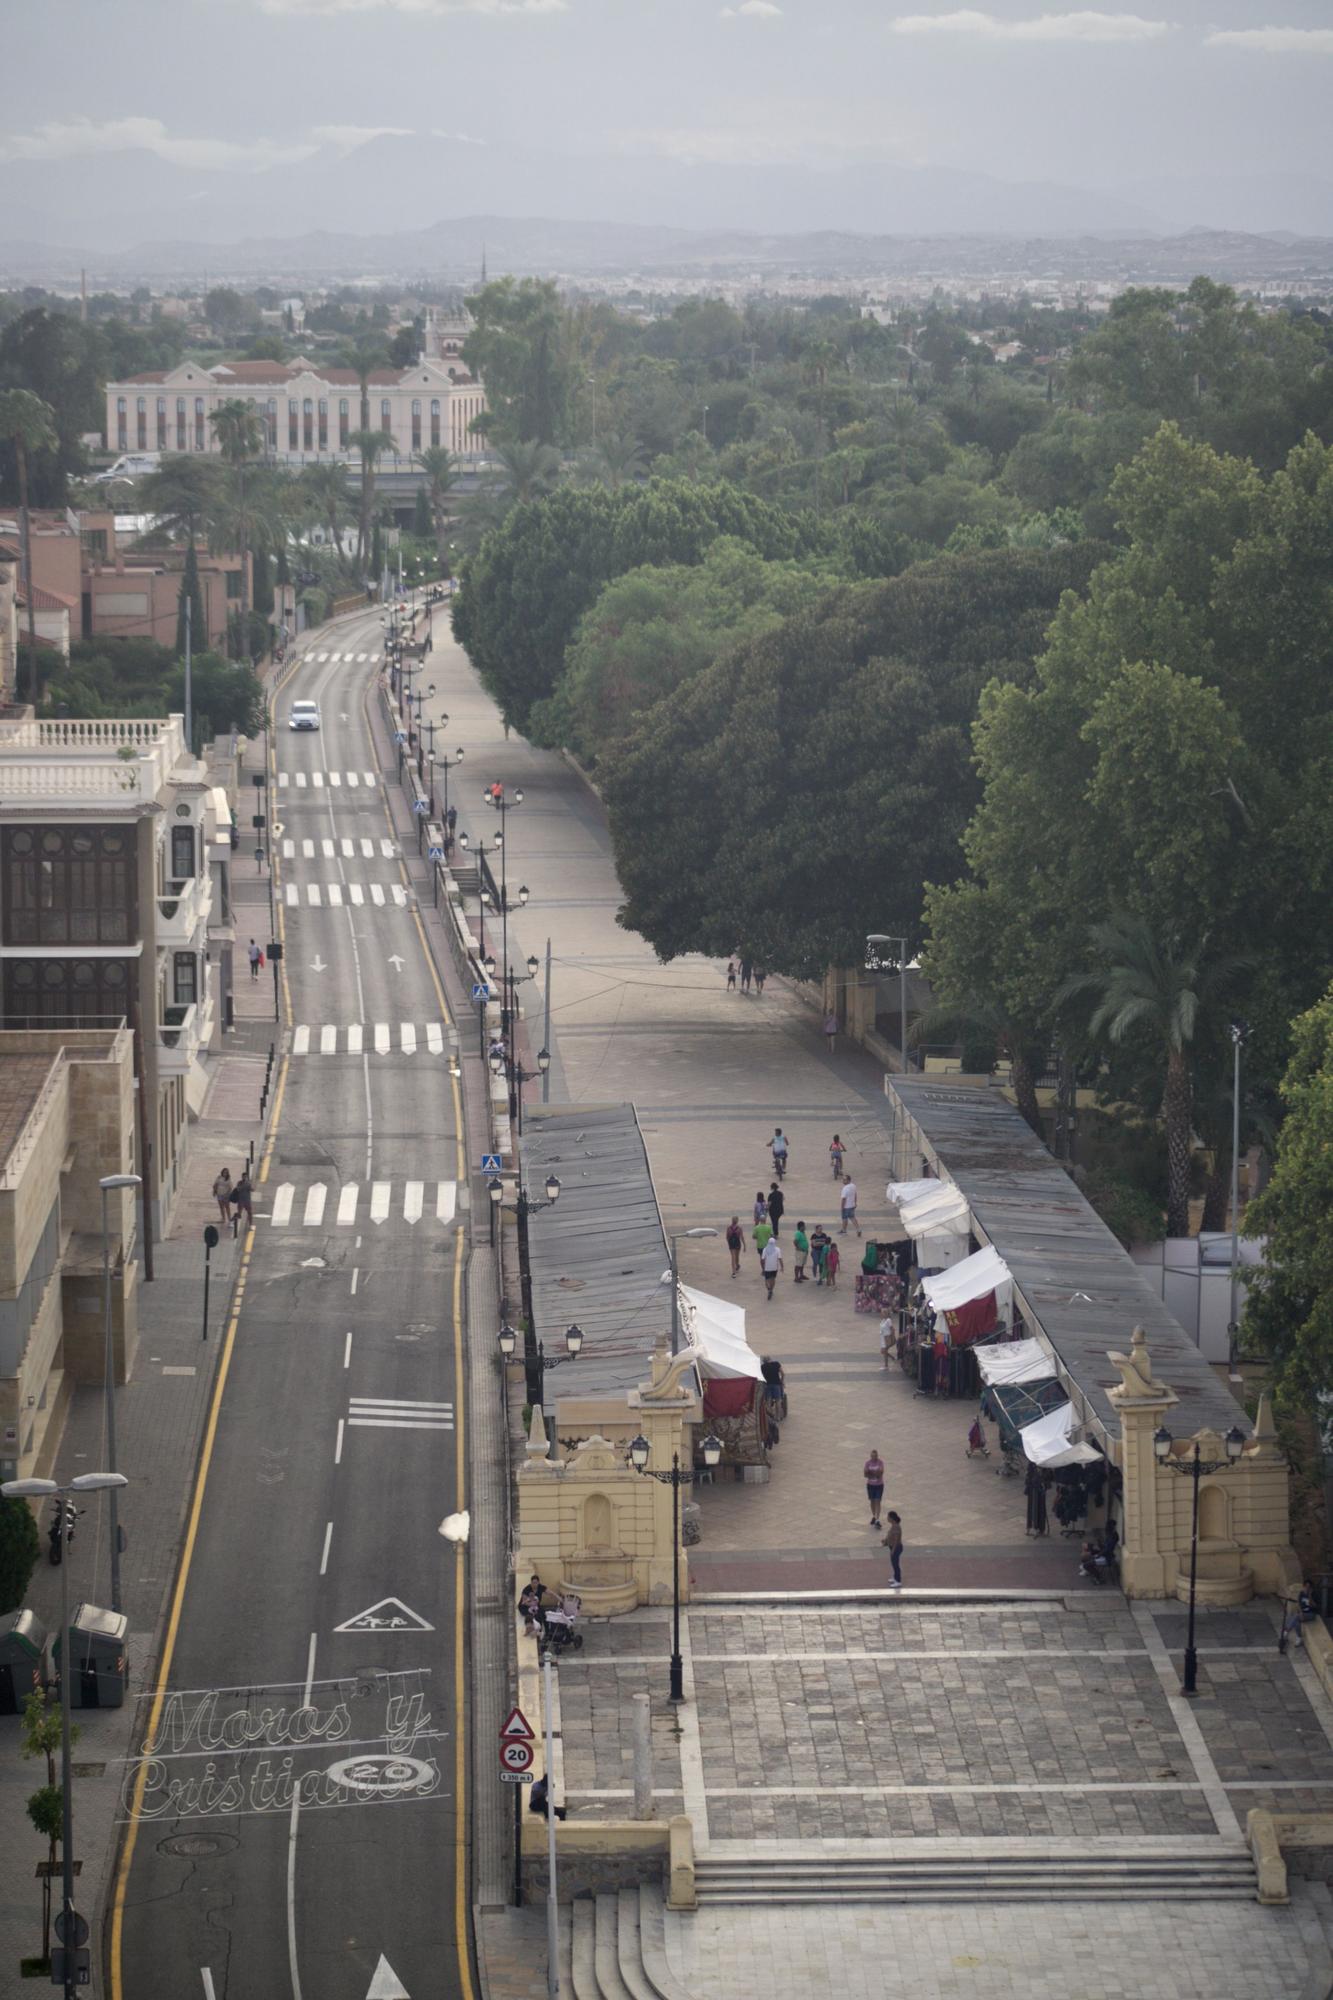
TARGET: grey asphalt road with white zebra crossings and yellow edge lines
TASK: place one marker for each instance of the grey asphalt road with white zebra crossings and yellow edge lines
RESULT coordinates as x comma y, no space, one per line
299,1803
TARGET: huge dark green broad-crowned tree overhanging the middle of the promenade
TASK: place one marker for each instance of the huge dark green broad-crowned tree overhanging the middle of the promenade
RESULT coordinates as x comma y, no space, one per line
804,789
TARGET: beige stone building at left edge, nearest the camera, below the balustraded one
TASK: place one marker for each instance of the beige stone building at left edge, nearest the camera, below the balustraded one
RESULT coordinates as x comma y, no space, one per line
67,1119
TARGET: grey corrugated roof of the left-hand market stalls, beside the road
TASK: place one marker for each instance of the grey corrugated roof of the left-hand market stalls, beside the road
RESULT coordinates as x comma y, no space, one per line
599,1253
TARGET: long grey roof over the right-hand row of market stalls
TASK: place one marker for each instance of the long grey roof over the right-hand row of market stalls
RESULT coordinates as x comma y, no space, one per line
1076,1283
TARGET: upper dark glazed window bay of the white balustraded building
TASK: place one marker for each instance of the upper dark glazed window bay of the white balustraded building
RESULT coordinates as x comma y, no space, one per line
69,885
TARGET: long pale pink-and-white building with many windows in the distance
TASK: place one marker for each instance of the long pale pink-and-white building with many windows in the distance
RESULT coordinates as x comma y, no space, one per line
307,409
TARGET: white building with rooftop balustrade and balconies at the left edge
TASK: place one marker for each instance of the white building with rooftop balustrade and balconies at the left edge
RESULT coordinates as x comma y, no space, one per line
109,855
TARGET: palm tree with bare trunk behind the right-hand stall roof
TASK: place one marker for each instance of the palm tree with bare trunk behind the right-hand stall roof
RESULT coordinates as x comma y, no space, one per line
1160,987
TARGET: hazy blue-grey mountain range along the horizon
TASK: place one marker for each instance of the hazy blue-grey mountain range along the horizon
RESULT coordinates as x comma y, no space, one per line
133,213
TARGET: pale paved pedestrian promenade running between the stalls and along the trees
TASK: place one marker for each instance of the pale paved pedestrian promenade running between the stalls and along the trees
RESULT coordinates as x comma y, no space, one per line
712,1075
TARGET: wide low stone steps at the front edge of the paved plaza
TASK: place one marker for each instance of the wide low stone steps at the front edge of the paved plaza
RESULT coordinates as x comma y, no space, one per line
980,1873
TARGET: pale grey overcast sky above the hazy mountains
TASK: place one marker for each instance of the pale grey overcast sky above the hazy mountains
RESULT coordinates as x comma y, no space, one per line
1098,97
